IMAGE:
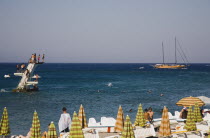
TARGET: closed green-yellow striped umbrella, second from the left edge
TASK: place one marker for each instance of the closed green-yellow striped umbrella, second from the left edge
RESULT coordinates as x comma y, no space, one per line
35,132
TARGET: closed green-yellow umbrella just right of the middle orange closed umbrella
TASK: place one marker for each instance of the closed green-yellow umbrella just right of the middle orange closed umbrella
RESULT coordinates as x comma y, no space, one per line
128,129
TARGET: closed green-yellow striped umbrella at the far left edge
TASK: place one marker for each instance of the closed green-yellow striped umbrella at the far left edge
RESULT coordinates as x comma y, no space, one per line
4,124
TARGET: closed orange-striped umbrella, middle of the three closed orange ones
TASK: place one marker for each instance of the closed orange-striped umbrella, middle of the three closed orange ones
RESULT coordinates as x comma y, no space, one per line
119,121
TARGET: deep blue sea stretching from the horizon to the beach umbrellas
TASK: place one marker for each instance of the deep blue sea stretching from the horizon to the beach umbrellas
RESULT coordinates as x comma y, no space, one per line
70,85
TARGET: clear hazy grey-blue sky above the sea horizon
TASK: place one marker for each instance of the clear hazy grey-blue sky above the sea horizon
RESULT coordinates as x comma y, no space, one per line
104,31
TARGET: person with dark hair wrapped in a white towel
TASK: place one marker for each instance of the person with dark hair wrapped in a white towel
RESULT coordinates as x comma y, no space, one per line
64,123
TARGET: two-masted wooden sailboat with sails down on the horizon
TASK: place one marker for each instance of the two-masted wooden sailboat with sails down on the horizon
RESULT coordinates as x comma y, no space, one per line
171,66
